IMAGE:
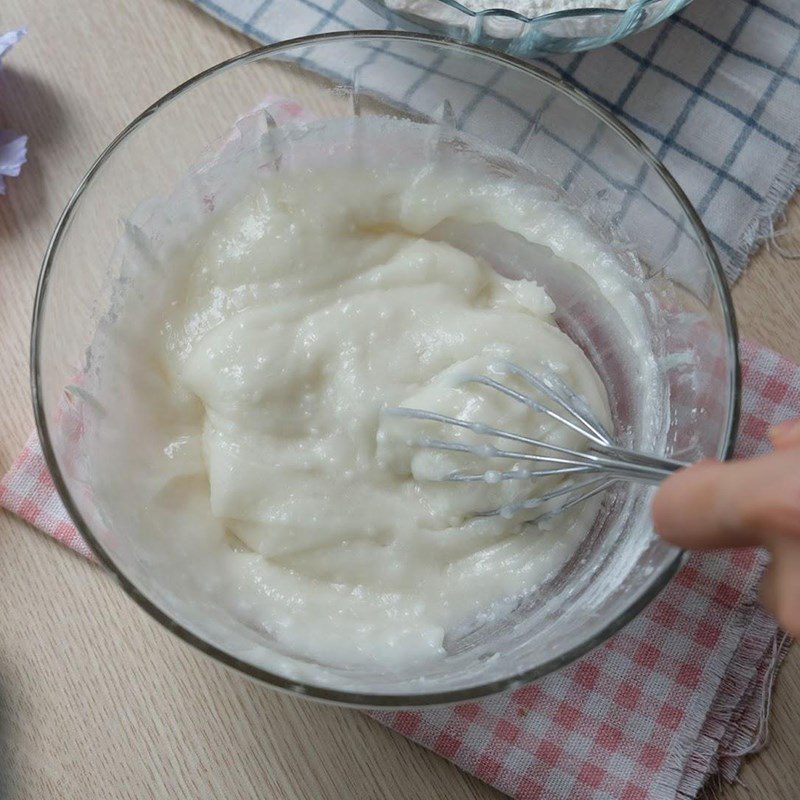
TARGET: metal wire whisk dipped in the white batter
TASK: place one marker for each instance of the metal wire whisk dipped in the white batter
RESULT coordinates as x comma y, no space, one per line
588,473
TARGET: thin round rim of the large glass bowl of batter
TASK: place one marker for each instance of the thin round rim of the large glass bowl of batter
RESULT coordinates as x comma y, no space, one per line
659,579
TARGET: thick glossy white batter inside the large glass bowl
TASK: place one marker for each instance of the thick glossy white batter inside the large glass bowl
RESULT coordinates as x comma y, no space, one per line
268,471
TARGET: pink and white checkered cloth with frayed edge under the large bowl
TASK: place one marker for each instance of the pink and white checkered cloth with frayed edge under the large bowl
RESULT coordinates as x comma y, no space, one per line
677,696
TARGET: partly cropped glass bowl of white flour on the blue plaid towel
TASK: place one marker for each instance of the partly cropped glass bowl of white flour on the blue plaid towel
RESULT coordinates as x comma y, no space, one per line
512,32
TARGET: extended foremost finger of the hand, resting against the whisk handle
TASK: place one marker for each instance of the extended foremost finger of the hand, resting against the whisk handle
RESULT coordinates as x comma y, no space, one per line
735,504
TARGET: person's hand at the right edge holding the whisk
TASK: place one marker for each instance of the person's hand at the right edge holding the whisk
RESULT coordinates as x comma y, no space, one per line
742,504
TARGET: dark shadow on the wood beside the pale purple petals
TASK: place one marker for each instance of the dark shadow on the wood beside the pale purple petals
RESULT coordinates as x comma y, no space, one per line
30,107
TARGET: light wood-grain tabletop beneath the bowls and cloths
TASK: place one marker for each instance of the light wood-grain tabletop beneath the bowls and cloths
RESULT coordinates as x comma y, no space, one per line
96,700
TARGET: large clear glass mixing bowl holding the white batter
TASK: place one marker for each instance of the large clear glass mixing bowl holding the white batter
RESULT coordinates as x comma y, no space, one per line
202,134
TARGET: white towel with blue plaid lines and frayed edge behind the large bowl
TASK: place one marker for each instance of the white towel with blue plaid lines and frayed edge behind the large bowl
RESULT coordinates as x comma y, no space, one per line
714,92
